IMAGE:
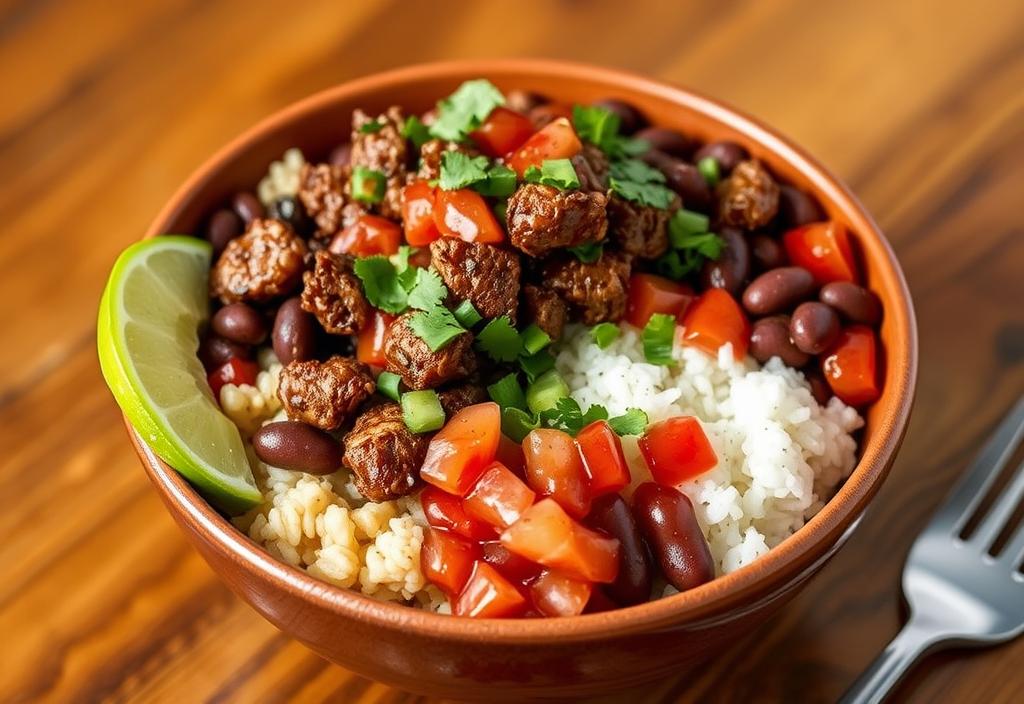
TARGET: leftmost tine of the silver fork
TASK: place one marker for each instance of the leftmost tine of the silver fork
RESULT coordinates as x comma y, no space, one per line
976,481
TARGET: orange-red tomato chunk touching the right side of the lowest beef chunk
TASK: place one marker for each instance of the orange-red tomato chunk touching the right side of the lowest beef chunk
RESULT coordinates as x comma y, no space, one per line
461,451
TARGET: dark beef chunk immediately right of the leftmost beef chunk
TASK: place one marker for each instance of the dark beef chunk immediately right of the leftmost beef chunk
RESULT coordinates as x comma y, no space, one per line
334,295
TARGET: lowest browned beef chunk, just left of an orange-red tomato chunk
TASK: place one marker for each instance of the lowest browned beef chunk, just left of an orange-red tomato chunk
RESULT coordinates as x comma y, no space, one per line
383,455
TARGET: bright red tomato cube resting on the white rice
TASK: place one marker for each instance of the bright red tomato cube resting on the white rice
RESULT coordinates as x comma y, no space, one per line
677,450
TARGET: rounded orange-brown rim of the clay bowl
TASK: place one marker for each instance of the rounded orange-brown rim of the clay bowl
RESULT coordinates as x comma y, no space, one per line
776,570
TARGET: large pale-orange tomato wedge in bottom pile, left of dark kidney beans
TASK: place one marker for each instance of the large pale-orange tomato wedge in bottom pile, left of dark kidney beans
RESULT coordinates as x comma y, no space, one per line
547,536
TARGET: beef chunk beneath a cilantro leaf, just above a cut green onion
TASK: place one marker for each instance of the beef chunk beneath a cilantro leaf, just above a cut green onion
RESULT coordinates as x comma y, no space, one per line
418,366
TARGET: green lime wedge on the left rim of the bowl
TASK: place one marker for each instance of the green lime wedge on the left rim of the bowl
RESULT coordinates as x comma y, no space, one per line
147,336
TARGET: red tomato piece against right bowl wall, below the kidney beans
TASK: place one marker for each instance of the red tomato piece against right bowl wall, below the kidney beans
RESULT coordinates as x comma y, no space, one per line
850,367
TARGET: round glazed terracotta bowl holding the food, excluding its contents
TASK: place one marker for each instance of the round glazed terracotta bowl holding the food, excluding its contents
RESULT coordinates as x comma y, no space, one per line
517,659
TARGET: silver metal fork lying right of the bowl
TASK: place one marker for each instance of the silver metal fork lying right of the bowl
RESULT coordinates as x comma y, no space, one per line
959,594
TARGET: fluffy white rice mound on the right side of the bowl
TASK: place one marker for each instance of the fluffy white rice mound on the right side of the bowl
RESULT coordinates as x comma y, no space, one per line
781,455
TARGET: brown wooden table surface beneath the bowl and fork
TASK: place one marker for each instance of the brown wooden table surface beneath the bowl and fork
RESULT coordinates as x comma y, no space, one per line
920,107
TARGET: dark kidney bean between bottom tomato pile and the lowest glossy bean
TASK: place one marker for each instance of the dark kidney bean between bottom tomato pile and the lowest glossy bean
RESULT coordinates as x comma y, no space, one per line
611,515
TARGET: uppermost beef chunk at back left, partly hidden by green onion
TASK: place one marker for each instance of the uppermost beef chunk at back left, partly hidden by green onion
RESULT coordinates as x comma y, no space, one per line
382,151
